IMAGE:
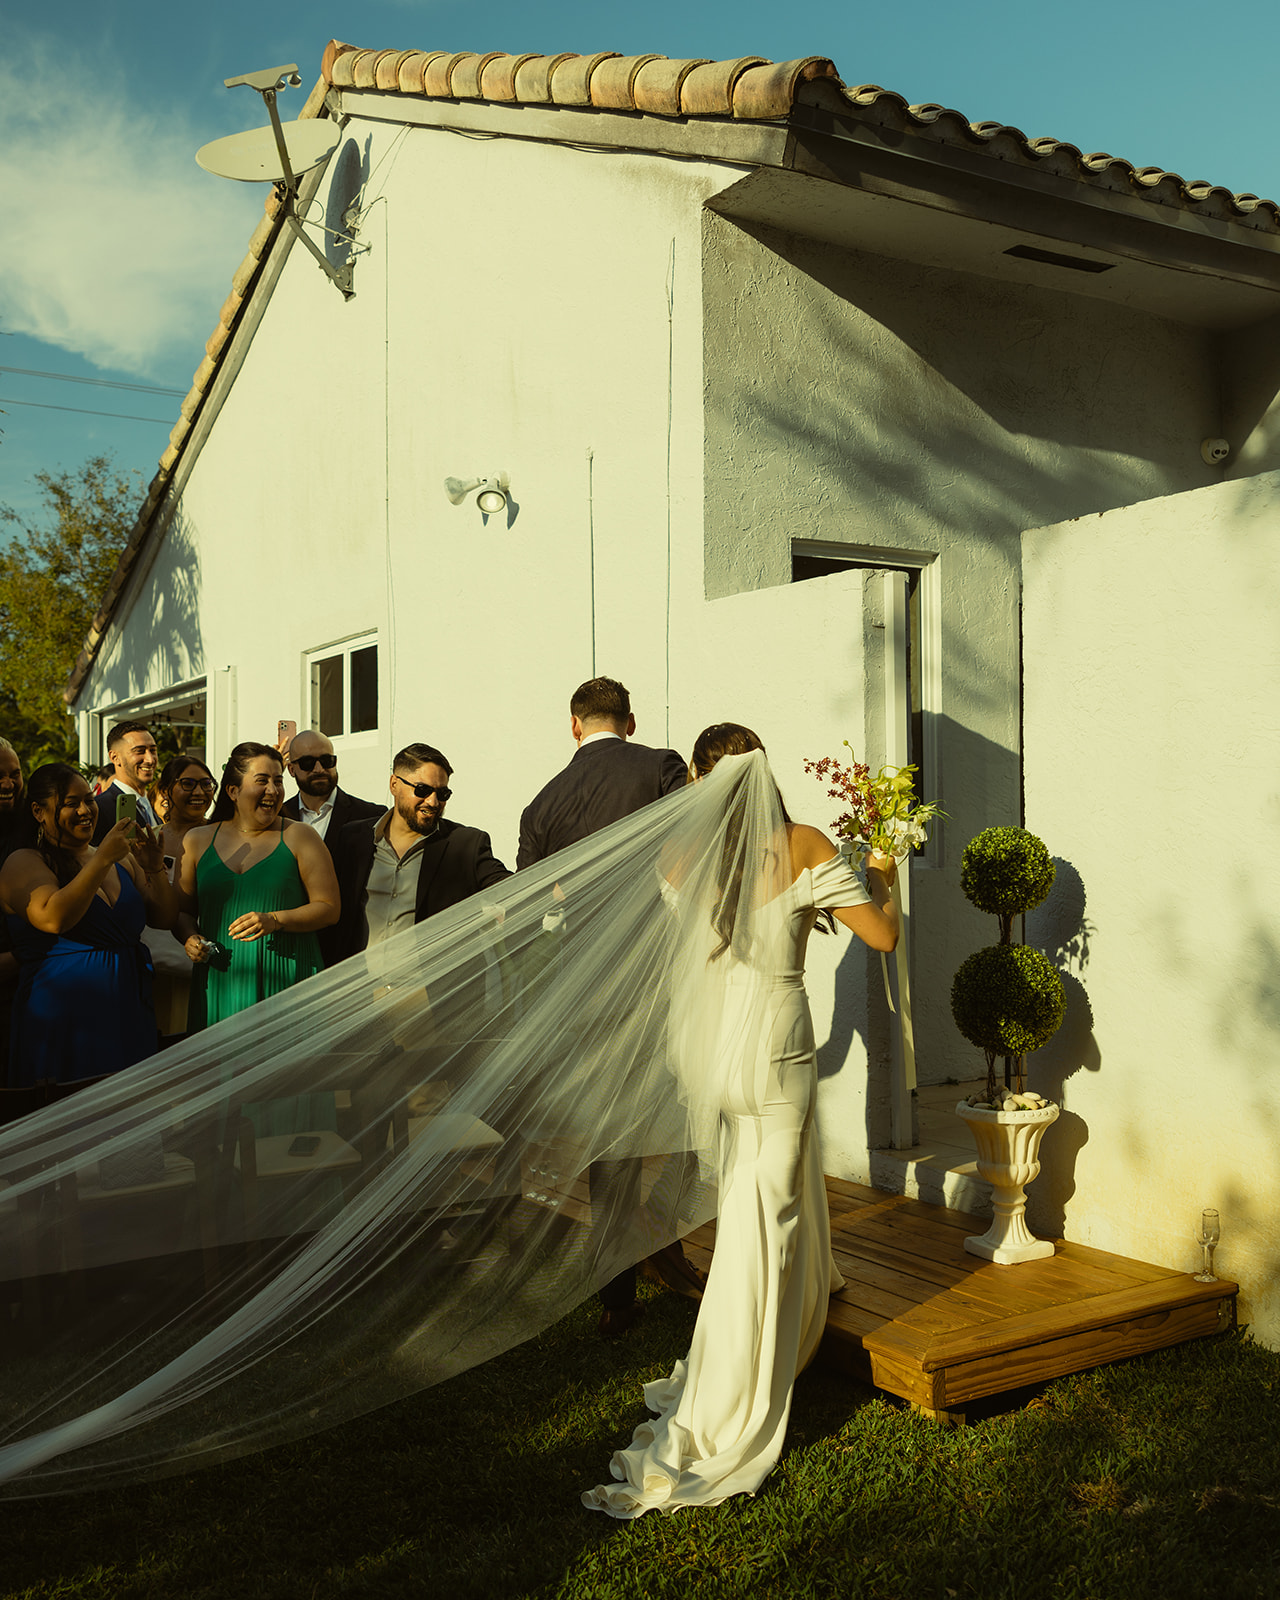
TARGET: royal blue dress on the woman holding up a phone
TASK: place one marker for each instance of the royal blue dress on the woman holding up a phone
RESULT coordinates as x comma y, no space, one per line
84,996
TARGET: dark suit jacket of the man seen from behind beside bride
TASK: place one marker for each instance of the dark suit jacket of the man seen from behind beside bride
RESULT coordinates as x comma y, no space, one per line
604,783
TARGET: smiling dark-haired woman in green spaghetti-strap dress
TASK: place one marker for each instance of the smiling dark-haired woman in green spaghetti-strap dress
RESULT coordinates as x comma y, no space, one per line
255,892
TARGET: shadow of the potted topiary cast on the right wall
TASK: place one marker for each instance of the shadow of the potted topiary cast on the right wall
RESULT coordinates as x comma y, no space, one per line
1062,929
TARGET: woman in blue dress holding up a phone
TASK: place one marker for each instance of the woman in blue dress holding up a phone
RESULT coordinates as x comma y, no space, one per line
76,916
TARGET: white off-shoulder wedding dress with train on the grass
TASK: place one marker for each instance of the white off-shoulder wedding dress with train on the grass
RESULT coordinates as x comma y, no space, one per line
722,1415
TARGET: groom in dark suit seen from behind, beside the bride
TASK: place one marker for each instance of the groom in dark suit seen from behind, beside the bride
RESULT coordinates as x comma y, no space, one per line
607,780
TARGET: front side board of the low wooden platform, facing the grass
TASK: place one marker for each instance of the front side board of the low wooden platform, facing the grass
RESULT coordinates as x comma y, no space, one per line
1076,1353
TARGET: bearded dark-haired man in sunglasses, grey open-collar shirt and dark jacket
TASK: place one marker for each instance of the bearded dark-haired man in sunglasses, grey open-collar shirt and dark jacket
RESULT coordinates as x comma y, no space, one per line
414,862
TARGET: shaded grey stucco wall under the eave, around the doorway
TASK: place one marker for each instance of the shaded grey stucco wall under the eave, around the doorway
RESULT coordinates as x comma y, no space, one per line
870,402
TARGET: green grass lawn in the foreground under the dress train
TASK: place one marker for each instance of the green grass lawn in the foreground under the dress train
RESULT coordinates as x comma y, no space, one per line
1159,1478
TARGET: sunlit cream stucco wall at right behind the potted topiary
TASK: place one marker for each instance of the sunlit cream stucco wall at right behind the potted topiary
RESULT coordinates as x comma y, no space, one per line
1153,670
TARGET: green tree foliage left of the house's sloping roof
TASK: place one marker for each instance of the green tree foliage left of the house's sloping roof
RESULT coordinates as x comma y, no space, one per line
54,575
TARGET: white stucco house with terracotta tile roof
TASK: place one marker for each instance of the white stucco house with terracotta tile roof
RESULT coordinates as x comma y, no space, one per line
818,412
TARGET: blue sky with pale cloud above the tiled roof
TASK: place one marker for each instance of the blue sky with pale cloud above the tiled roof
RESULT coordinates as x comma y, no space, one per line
118,250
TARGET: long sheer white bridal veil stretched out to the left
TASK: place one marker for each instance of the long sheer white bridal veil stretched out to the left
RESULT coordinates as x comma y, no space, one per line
393,1172
